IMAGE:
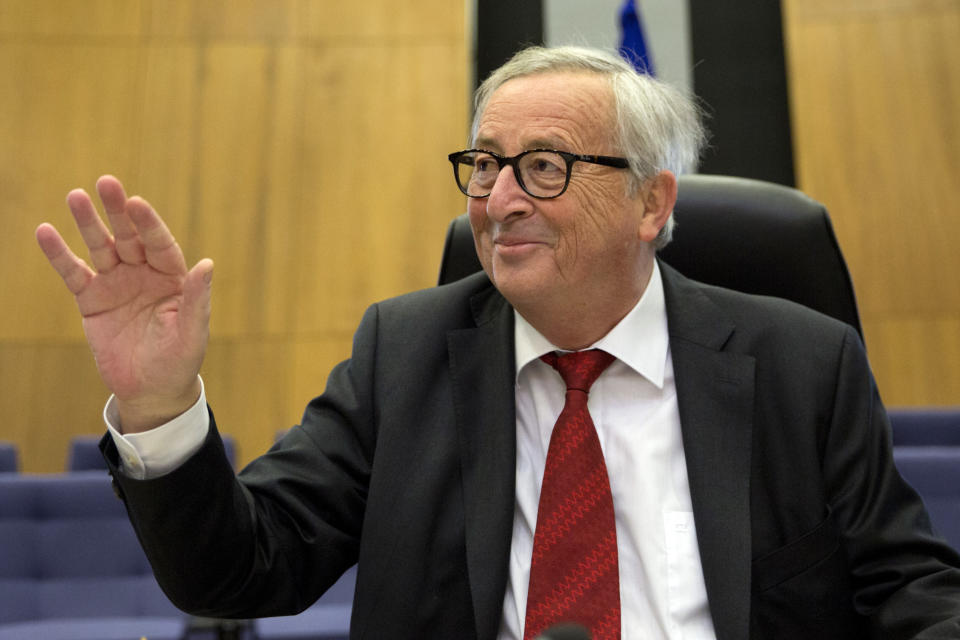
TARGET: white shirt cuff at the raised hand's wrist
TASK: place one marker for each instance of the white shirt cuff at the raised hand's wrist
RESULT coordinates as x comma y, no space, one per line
160,450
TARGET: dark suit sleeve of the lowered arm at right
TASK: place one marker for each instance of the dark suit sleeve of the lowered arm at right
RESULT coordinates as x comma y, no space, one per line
906,580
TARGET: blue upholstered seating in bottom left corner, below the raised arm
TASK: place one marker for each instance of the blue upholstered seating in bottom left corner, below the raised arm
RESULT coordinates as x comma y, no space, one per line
71,567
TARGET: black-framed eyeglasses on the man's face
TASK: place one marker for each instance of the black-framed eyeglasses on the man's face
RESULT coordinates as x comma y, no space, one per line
542,173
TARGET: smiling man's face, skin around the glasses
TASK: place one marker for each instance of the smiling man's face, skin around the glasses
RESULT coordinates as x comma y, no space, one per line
581,245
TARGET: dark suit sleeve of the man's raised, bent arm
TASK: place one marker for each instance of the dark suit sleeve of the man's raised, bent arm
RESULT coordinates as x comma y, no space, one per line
270,540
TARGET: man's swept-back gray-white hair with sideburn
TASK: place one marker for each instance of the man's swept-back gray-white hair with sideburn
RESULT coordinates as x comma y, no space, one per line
658,126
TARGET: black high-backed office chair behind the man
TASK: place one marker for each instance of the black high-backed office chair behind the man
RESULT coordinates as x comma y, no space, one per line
738,233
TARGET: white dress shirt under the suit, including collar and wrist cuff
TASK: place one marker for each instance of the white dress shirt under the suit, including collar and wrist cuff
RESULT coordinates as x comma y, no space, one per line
634,407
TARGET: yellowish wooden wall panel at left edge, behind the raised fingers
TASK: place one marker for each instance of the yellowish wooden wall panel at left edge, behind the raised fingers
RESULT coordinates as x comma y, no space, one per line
58,118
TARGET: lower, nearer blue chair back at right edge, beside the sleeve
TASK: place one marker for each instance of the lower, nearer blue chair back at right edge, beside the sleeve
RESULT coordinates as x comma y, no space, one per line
934,472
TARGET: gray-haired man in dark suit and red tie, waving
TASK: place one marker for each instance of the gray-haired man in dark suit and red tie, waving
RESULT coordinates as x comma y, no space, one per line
577,434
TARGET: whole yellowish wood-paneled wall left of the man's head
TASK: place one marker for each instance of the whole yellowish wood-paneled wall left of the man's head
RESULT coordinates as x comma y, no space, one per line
301,144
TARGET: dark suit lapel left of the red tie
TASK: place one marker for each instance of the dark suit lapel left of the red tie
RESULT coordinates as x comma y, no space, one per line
482,370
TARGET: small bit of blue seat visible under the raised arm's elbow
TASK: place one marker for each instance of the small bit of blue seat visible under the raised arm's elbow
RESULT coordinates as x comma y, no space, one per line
327,619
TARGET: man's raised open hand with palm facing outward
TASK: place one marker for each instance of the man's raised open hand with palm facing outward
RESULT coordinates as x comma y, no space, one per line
146,317
